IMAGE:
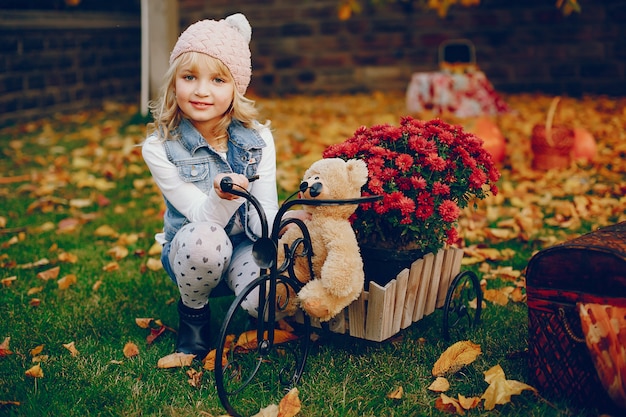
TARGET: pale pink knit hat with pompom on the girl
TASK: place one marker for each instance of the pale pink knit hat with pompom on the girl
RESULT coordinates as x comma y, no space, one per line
227,40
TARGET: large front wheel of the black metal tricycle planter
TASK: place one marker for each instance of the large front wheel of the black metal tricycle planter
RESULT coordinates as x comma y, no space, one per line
259,362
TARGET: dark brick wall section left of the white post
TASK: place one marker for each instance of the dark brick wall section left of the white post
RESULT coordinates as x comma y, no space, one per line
65,61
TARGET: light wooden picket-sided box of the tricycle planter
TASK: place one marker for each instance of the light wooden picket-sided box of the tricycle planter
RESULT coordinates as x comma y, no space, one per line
416,292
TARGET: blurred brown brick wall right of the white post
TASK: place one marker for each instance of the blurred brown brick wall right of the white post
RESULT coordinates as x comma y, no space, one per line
301,46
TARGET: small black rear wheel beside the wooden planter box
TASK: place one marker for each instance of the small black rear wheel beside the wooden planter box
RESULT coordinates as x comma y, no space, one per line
457,316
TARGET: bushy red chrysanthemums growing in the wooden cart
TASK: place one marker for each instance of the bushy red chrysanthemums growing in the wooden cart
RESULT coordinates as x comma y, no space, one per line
427,172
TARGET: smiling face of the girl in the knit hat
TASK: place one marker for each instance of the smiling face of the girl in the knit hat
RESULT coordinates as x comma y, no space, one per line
204,91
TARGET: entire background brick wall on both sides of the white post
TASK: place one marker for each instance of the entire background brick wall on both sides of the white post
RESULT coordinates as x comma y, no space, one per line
65,61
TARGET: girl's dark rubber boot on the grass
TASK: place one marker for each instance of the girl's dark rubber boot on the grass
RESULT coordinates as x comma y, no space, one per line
194,330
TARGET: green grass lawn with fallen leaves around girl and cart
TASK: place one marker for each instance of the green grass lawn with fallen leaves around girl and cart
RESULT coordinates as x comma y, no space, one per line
344,376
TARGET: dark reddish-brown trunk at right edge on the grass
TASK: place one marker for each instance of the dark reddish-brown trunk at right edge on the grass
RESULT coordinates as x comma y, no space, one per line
587,269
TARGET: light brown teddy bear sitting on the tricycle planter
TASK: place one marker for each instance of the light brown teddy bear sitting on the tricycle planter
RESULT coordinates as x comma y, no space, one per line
337,265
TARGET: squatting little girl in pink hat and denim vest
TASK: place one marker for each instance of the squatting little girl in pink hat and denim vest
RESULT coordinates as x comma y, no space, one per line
204,129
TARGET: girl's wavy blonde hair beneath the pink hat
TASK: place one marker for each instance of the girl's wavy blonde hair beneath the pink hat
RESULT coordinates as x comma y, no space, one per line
166,113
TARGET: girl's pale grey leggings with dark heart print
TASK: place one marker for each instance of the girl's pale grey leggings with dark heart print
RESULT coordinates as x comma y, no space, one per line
201,255
